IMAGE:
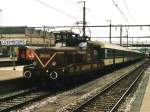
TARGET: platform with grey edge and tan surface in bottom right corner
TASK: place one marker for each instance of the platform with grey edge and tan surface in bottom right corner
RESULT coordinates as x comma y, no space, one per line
139,102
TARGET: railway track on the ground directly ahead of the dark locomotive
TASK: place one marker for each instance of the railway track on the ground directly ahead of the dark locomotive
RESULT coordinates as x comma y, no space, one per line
21,98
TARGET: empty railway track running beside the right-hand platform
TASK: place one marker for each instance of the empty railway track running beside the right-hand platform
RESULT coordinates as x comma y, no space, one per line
109,99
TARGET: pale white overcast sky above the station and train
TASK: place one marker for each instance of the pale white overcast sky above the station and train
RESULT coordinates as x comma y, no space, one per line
67,12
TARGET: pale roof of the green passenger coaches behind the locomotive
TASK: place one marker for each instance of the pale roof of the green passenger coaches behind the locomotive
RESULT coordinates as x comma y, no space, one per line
111,46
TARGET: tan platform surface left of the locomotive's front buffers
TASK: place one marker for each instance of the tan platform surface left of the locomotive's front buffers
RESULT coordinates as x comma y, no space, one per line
8,73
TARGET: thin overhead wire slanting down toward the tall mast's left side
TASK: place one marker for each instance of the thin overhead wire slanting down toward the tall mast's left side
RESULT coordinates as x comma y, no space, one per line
58,10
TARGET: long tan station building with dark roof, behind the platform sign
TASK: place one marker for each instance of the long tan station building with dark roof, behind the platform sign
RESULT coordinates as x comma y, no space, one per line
13,37
